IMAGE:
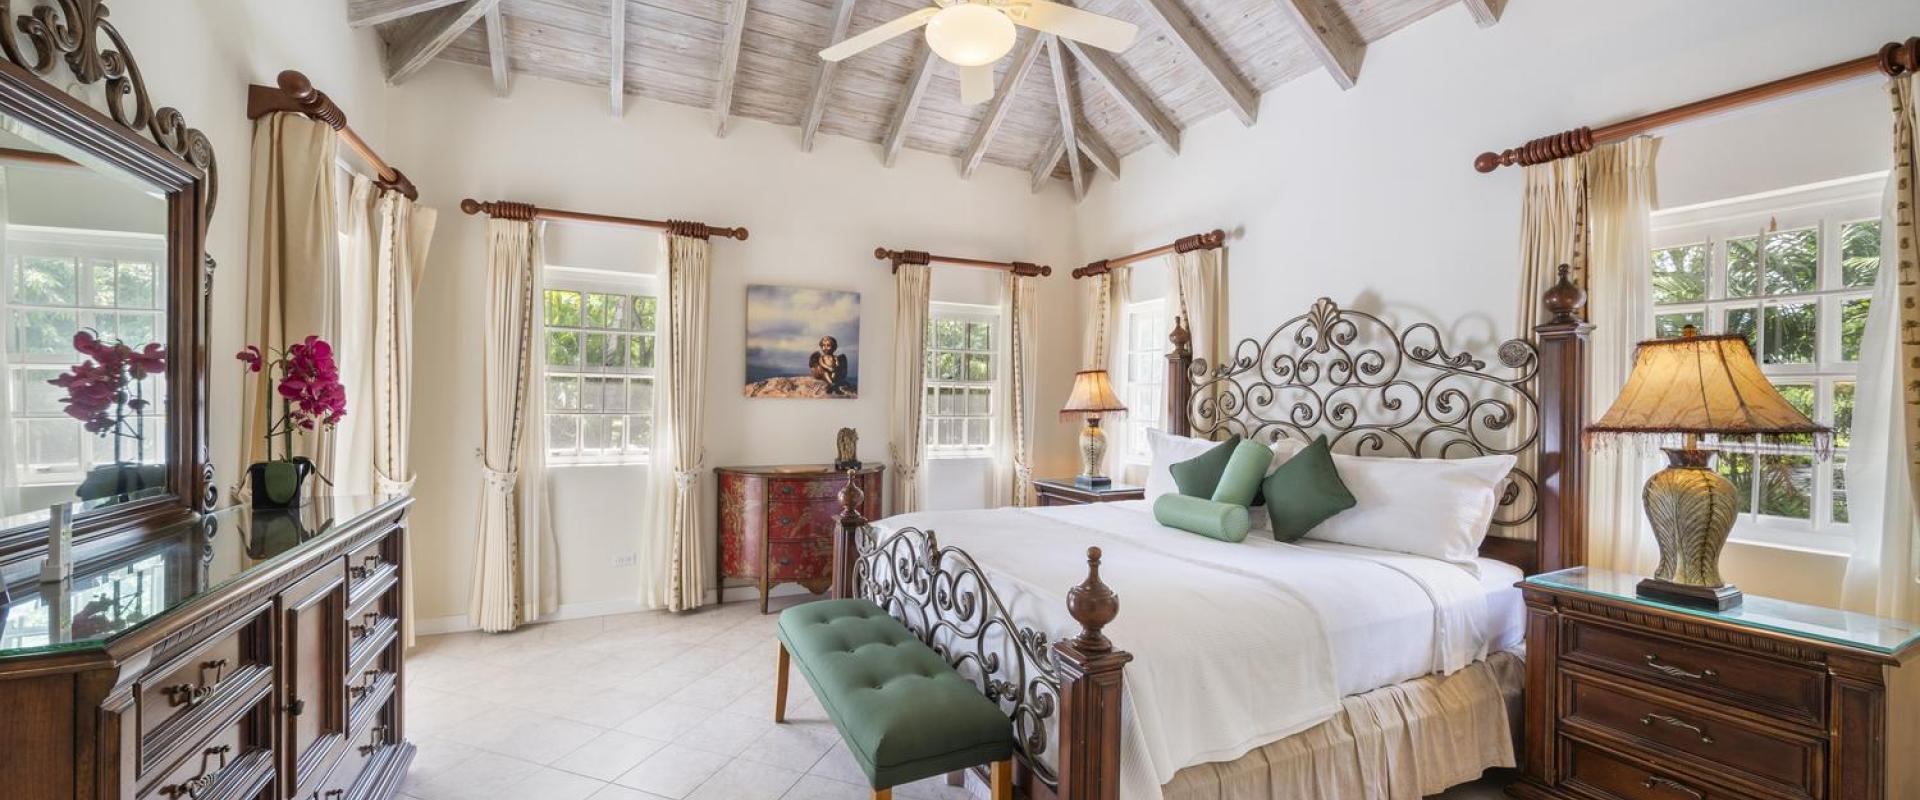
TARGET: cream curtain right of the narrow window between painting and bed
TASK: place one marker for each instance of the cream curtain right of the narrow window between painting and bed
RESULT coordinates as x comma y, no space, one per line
1015,438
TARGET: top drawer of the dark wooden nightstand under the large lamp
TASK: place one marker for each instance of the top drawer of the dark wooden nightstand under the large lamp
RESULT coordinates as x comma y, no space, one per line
1787,692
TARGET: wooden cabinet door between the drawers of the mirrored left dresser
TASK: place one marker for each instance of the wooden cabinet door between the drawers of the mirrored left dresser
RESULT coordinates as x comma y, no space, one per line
314,676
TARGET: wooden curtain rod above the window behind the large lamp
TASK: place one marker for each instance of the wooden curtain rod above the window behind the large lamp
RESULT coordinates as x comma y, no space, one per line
1892,60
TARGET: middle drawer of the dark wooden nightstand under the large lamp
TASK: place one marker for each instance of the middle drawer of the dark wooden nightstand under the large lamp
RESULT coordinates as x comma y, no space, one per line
1783,763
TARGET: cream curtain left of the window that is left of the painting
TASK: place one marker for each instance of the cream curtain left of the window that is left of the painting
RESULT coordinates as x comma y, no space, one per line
514,557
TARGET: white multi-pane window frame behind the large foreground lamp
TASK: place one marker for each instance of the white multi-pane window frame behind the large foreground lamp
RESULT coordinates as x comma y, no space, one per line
1827,208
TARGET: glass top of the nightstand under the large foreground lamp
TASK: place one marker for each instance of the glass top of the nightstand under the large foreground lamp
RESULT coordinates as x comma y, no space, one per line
1863,632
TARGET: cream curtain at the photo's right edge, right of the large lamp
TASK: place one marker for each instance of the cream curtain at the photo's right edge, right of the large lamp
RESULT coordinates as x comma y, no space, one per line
1883,473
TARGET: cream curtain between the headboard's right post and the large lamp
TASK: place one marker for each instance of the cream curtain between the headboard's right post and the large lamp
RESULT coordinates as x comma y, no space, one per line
1620,214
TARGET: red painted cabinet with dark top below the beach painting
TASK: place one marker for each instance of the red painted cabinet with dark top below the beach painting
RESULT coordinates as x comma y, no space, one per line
779,523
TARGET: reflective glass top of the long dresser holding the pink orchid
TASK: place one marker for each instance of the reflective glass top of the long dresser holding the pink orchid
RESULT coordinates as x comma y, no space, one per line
118,588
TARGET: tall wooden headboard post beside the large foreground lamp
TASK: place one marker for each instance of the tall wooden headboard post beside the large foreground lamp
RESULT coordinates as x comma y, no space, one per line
1562,471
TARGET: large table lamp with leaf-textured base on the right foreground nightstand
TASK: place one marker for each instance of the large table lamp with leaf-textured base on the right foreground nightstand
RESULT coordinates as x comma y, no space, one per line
1691,387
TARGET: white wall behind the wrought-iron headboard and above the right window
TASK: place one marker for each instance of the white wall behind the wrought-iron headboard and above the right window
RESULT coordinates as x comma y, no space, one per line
1368,197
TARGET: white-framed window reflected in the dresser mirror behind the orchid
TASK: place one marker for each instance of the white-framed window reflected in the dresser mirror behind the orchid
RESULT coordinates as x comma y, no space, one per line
60,281
